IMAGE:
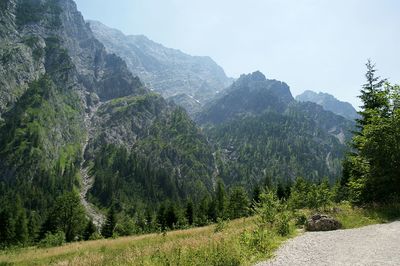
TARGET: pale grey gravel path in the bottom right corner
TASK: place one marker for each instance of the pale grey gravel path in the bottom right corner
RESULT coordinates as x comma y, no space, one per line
370,245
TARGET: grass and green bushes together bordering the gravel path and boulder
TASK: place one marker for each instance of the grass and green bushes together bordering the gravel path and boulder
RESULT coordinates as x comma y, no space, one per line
243,241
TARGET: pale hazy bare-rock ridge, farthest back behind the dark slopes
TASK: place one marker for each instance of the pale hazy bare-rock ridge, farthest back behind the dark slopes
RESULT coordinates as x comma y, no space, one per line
183,78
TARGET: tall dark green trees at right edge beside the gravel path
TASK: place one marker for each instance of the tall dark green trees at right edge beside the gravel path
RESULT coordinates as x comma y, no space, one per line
372,171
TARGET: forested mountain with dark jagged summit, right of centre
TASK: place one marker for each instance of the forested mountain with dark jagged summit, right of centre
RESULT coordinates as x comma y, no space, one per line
260,132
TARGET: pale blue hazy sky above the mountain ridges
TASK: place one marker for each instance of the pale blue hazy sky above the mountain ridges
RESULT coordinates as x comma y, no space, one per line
320,45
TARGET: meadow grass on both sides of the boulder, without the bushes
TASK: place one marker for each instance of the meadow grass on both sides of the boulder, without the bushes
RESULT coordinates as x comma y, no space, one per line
237,242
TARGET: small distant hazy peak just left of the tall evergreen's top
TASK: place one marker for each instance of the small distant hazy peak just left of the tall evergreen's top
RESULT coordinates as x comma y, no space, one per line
329,103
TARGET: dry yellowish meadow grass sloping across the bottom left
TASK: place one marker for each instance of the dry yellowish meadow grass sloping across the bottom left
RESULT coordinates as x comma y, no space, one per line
181,246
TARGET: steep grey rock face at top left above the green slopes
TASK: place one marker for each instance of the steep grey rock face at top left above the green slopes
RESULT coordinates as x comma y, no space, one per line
23,47
